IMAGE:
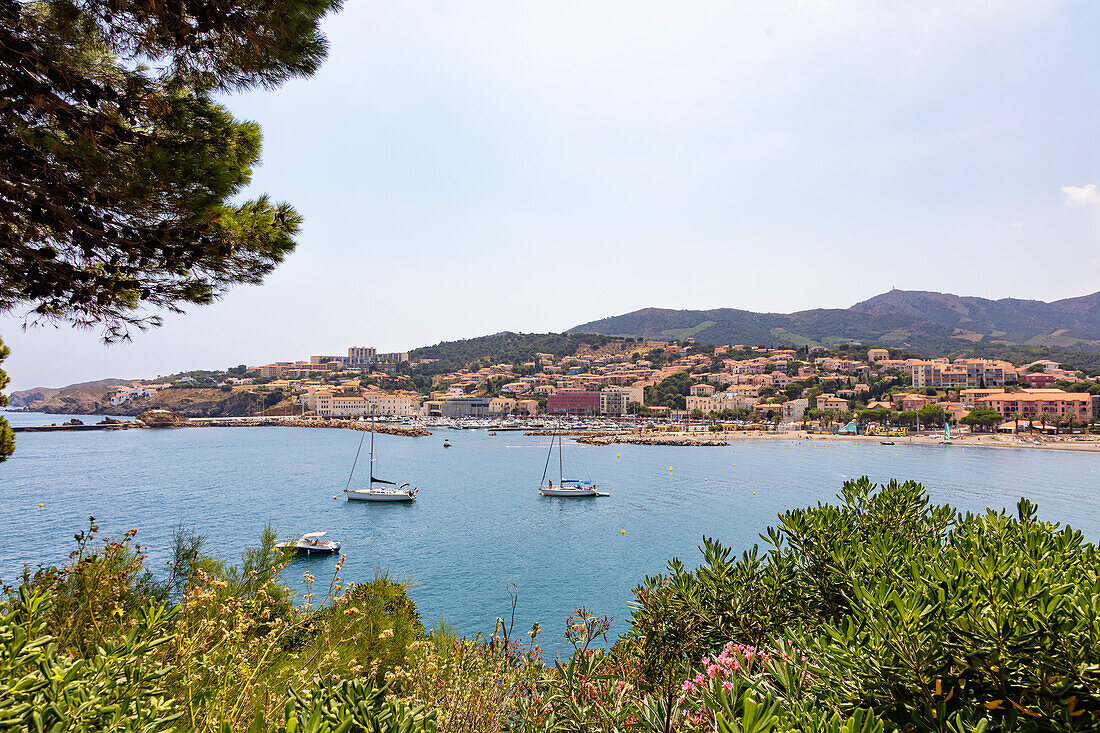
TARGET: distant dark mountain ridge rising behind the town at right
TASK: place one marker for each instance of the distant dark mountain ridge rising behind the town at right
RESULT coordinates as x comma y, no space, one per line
931,324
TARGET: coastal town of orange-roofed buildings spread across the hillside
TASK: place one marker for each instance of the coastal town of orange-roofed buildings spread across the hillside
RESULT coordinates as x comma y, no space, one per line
846,390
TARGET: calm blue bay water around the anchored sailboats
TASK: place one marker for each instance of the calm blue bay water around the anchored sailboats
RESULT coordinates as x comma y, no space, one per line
480,523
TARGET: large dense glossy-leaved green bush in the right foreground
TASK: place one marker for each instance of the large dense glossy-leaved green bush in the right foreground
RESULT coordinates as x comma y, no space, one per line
937,621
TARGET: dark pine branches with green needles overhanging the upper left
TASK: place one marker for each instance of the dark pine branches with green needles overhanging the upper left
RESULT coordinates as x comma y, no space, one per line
119,172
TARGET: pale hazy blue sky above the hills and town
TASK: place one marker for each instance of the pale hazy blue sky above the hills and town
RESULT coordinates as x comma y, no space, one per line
466,169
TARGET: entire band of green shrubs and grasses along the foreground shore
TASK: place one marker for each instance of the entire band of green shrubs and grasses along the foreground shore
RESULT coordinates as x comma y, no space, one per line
881,612
